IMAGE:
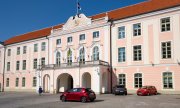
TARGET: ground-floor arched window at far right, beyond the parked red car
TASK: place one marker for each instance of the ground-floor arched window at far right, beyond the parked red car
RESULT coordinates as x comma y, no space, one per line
167,80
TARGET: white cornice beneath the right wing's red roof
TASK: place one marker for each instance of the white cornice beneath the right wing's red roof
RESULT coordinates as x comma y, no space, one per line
148,15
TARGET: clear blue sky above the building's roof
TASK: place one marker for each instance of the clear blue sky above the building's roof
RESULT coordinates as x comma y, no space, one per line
22,16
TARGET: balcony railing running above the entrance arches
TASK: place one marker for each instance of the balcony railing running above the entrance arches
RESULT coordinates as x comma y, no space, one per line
74,64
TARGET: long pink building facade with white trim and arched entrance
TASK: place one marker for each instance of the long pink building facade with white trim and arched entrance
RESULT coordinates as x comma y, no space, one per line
98,52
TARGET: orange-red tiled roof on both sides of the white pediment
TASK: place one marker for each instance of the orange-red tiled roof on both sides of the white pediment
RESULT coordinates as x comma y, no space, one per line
121,13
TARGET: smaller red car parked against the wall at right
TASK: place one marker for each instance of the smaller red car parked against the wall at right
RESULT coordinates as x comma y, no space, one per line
147,90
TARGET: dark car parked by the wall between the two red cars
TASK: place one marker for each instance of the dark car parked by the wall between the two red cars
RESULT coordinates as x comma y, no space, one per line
119,89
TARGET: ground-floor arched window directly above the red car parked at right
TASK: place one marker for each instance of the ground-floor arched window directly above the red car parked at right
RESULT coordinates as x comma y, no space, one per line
137,80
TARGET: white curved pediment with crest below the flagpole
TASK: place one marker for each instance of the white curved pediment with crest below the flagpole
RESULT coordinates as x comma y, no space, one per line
77,21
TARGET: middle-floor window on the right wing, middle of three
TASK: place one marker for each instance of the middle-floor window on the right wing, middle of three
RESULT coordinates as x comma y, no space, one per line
137,53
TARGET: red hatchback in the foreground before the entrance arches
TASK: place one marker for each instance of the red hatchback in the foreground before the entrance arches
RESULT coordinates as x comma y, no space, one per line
78,94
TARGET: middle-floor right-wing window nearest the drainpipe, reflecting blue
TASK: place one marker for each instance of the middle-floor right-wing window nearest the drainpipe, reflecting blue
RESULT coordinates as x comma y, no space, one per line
121,54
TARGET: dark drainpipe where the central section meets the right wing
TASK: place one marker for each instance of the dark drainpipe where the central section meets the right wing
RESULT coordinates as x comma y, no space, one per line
111,70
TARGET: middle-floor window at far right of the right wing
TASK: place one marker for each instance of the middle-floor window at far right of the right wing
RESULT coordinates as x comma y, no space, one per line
166,50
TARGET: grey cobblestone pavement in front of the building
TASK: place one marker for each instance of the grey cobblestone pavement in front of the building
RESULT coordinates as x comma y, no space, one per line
32,100
